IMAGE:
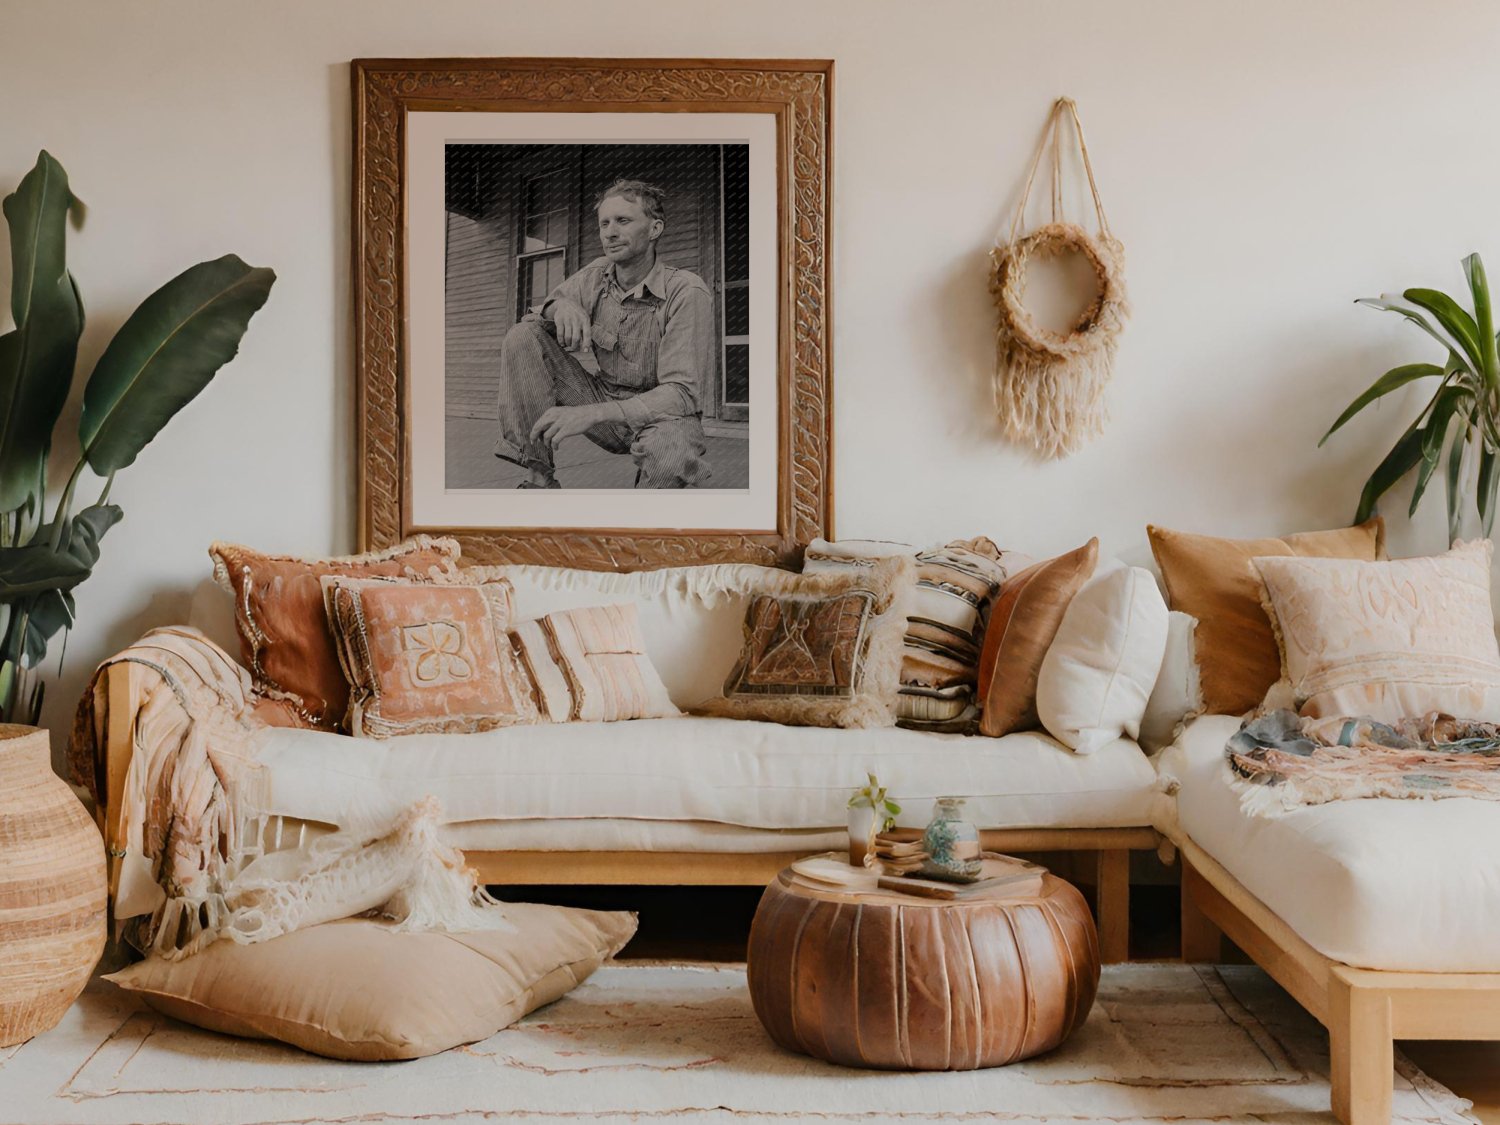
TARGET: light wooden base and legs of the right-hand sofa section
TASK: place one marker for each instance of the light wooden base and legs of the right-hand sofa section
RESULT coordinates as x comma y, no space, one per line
1364,1010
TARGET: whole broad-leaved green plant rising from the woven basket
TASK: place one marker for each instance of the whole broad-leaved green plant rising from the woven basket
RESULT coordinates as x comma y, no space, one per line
161,358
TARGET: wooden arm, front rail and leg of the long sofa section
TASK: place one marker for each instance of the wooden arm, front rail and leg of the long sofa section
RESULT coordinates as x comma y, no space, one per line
1112,847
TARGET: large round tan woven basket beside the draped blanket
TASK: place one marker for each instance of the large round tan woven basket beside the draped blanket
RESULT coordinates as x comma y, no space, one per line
53,889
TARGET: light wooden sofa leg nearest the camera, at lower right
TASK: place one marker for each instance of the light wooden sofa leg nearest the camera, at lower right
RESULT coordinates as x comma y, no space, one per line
1361,1052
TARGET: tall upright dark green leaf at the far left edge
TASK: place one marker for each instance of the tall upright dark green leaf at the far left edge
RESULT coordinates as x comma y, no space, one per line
38,356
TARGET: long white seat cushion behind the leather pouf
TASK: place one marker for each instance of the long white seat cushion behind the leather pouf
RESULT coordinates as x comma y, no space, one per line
695,769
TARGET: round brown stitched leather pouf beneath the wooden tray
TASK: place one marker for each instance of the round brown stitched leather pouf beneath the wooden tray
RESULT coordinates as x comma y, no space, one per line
895,982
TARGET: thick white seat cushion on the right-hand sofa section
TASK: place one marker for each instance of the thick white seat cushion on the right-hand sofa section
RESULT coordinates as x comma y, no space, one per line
1379,884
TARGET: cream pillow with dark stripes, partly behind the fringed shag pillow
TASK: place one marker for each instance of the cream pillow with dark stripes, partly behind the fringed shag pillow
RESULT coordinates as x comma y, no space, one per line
956,584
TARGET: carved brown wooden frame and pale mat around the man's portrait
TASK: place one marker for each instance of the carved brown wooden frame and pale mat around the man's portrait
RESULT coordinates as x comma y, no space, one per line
409,109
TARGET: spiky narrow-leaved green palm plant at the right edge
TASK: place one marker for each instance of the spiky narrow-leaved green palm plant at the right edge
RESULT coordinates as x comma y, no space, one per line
1457,428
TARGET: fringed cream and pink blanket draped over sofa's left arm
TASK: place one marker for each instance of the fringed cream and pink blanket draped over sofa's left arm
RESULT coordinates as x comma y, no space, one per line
191,842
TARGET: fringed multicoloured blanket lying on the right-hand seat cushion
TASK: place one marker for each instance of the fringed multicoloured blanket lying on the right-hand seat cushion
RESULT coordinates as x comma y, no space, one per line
1282,761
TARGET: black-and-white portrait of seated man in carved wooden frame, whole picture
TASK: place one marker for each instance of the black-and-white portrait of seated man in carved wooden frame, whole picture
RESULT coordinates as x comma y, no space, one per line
611,311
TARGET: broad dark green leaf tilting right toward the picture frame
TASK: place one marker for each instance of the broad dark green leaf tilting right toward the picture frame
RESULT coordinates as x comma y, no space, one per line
164,355
